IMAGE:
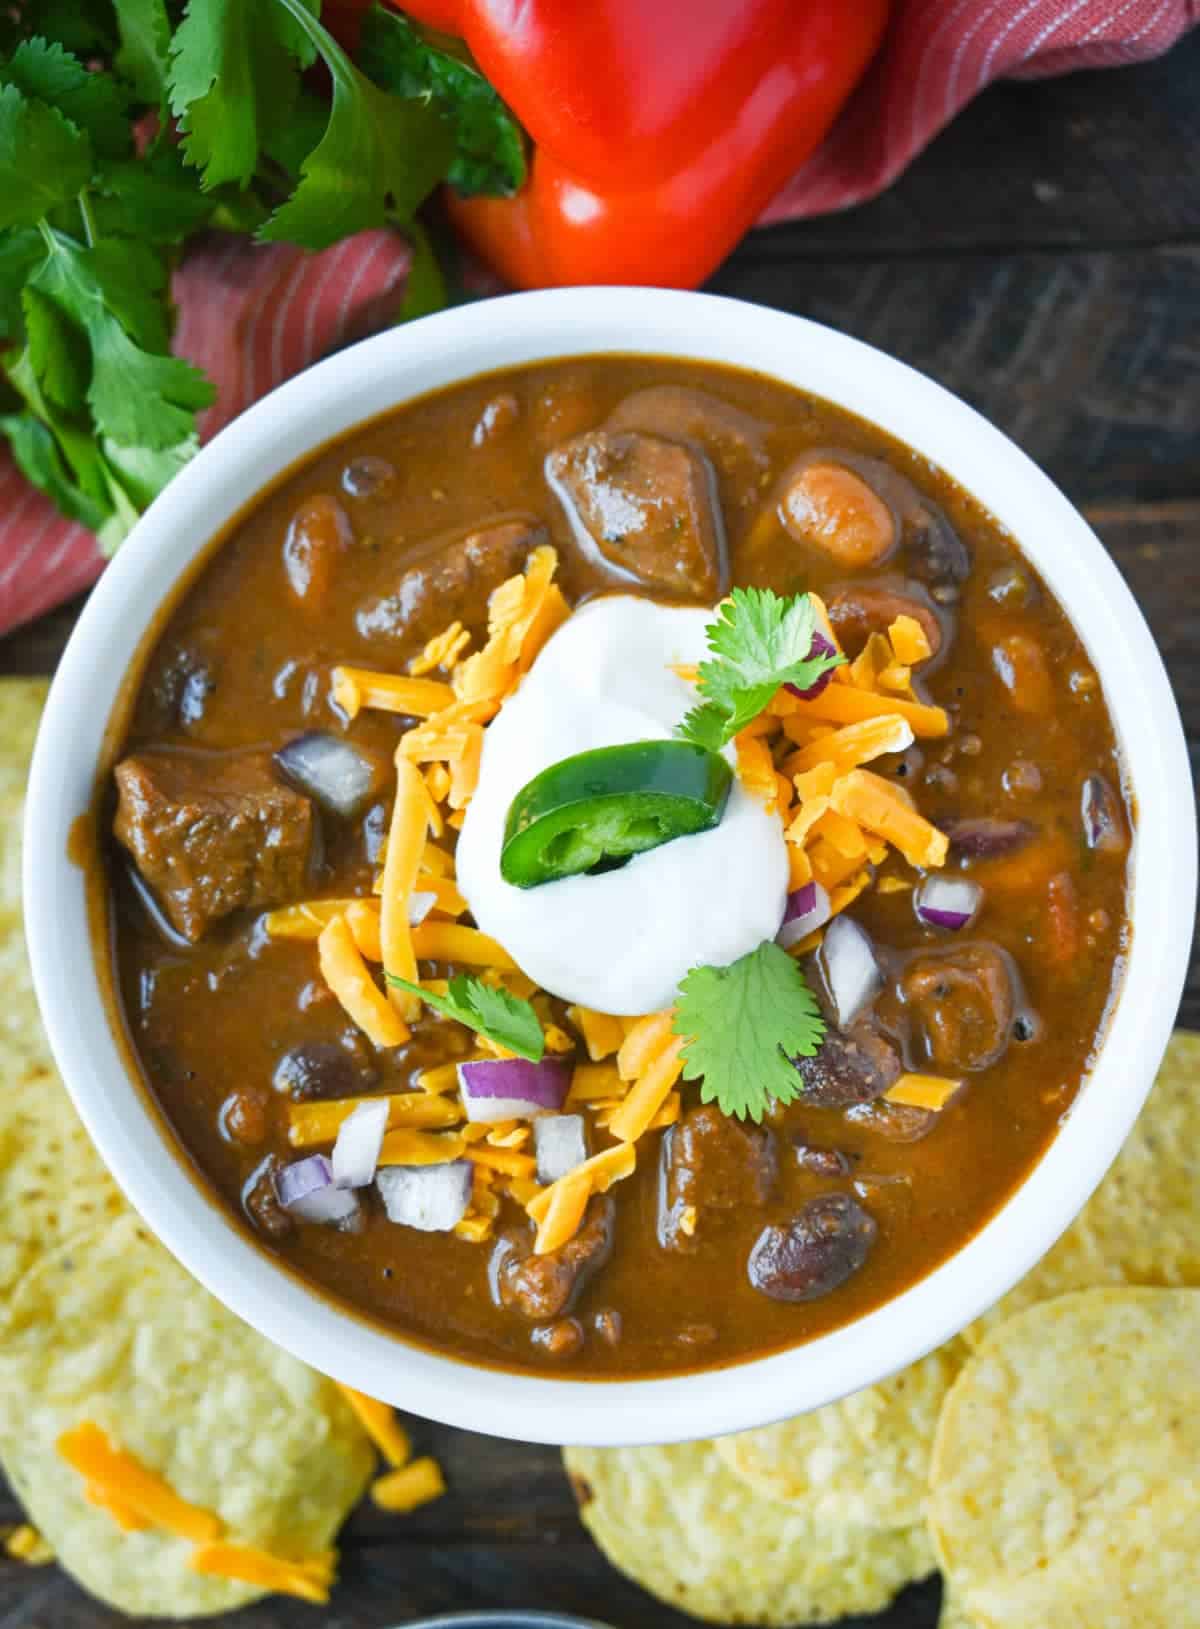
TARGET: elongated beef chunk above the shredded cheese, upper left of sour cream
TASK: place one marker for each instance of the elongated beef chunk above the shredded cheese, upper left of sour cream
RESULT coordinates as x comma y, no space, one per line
452,579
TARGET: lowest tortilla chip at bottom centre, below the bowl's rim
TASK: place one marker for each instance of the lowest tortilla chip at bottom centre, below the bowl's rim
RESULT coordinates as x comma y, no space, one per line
693,1535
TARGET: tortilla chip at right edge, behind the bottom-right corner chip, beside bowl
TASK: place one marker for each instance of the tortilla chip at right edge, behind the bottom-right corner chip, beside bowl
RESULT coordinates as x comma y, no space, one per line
1141,1226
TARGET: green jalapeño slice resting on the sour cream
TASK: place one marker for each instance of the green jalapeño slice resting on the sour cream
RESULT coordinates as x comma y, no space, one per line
597,810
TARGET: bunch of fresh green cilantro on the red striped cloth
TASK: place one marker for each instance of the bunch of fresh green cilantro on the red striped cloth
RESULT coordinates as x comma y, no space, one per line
126,128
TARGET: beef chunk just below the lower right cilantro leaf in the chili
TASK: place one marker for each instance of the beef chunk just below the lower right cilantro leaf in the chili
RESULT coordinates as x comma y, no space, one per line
711,1164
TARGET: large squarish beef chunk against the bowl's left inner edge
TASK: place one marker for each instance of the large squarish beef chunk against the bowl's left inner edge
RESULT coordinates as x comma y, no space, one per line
212,835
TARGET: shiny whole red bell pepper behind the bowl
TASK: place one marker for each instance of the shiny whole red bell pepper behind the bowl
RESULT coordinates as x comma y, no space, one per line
662,128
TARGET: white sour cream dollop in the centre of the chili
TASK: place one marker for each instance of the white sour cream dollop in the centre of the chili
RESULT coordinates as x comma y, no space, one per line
620,942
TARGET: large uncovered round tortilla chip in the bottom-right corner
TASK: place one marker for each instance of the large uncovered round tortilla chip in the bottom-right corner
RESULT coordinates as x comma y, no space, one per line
1066,1485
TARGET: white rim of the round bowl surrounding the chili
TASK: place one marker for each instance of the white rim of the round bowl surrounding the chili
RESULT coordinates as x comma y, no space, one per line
403,364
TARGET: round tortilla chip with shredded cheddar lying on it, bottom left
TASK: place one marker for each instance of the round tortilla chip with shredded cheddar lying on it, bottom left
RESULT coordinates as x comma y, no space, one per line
110,1328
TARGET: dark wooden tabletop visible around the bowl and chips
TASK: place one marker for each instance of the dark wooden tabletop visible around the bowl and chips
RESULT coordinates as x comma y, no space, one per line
1043,260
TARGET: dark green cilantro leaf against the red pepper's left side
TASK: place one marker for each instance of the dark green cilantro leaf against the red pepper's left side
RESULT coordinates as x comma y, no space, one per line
489,146
